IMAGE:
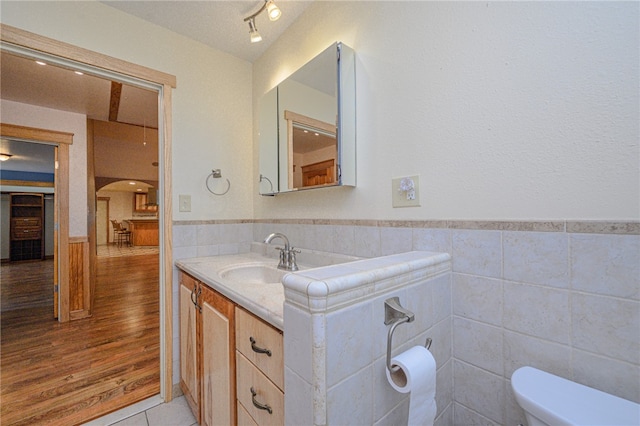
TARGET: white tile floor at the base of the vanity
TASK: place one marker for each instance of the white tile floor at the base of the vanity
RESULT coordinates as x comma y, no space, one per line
174,413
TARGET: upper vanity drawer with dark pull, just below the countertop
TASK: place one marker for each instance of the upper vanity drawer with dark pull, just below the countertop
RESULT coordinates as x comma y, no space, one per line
250,328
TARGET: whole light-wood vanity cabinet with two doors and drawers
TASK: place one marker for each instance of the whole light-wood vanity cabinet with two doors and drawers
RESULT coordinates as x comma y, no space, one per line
222,345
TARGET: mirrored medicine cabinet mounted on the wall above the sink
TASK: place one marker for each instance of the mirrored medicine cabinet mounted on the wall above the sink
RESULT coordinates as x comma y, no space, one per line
307,125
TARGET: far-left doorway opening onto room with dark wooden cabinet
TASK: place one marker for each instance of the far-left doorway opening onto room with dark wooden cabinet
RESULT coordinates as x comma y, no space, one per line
28,212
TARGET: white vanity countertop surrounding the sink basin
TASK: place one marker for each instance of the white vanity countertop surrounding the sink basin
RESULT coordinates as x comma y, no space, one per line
263,300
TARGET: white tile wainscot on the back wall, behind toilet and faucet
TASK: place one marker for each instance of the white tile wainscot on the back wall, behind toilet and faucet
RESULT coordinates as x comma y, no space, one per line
564,302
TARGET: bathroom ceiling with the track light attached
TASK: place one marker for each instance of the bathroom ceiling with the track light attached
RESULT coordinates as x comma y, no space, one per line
219,23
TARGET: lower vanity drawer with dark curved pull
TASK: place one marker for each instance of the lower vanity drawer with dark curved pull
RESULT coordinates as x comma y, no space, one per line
248,378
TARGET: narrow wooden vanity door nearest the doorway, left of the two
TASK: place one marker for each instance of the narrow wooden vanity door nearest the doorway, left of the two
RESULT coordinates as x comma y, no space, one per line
188,344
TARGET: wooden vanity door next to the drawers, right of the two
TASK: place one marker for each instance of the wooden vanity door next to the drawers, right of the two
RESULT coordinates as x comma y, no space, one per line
218,360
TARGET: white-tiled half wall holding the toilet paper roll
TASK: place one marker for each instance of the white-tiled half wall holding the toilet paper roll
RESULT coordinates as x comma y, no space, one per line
349,340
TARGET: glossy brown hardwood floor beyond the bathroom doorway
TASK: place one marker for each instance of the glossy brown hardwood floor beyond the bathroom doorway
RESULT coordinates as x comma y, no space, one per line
66,374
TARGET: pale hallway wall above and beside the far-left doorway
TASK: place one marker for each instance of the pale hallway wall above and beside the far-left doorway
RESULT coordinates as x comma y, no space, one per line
51,119
